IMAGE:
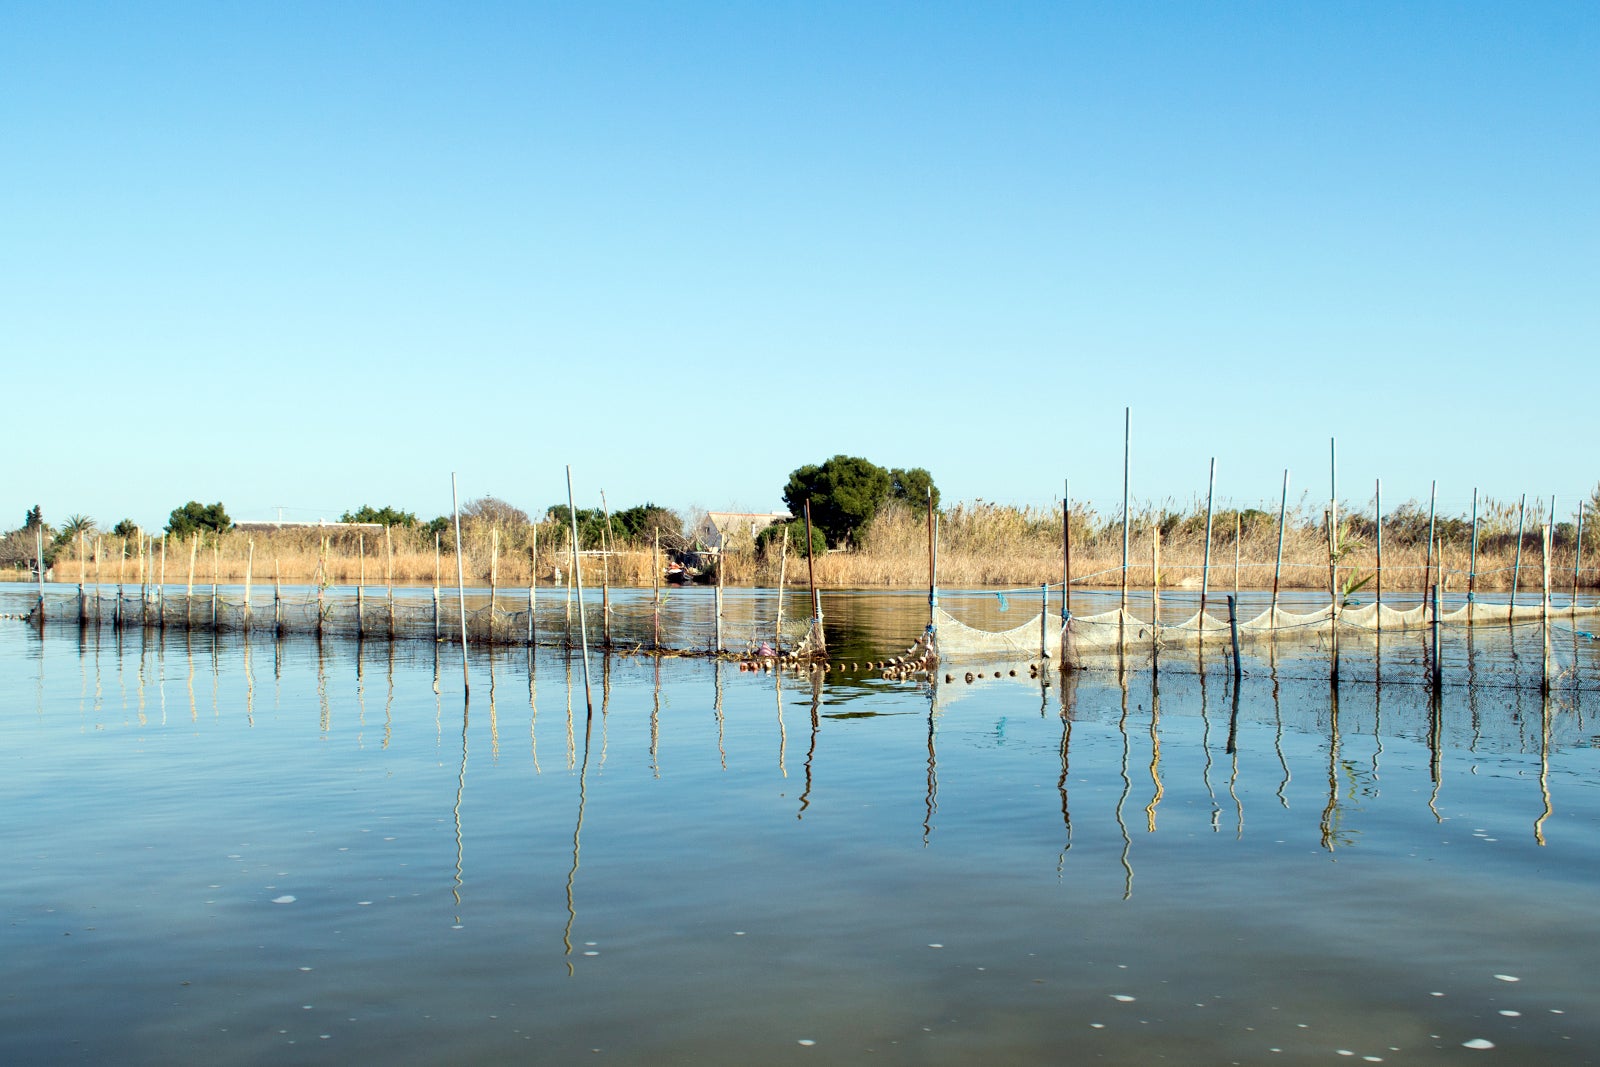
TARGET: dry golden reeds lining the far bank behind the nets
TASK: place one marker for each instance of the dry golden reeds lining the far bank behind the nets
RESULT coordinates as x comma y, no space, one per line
980,546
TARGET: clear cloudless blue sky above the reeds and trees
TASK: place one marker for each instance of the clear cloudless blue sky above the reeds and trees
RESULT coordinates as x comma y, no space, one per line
324,255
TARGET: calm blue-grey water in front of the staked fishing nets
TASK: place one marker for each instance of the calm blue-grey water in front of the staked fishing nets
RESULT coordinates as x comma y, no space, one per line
284,852
